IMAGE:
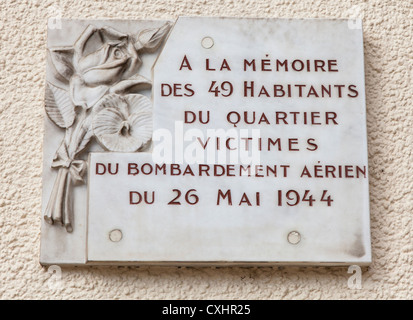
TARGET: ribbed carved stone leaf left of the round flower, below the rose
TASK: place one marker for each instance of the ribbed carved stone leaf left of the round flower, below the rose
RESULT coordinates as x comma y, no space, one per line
59,106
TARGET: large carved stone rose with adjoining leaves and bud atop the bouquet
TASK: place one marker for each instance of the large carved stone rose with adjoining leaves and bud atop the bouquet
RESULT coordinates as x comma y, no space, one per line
103,60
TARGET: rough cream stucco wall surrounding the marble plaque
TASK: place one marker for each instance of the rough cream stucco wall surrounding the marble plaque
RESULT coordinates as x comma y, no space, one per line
388,26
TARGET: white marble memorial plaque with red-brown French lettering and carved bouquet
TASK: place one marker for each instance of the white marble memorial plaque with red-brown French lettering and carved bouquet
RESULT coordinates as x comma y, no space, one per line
205,141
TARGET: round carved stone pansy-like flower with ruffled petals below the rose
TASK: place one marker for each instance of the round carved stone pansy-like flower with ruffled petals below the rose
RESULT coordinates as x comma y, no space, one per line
123,123
